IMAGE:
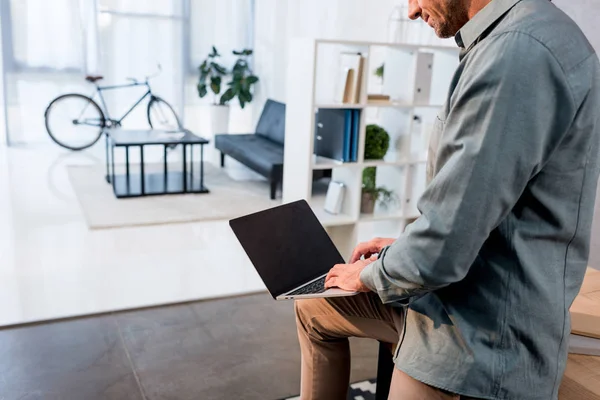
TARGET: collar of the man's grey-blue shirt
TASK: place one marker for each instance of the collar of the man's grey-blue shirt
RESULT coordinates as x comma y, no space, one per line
484,19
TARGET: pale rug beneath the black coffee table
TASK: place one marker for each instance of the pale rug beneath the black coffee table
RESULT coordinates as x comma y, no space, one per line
227,199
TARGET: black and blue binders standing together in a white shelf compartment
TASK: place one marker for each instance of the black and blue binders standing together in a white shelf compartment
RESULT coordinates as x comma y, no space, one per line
337,134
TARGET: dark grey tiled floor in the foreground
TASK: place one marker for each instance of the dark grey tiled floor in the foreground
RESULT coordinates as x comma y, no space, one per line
237,348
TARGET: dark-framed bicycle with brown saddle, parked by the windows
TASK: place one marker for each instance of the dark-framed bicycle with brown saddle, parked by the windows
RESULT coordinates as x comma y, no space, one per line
76,121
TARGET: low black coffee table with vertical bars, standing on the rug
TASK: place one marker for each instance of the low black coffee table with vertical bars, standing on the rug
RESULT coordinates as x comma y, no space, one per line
155,183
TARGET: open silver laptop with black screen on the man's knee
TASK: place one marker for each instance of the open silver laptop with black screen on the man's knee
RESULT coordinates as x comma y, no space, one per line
290,250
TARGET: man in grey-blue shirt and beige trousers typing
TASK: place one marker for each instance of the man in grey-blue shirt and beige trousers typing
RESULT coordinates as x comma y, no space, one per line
476,292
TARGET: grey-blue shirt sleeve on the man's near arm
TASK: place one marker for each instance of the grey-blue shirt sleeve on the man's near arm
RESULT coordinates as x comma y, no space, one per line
508,112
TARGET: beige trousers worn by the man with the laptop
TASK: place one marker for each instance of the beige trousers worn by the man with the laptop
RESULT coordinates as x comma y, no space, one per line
324,326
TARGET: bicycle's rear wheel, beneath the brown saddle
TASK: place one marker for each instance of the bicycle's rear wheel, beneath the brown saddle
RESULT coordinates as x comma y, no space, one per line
74,121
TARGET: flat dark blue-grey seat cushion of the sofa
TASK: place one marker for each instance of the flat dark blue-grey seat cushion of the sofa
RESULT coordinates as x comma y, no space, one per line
260,154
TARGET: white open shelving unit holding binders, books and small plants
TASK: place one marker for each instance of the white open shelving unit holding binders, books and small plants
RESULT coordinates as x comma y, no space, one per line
313,72
